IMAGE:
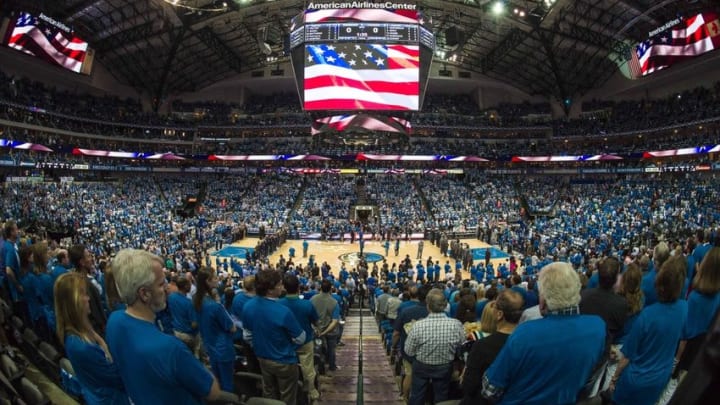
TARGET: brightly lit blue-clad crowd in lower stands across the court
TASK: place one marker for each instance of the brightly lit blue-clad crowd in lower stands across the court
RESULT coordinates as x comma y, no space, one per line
595,215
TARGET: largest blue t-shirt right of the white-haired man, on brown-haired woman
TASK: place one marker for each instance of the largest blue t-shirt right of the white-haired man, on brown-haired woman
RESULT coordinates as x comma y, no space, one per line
650,347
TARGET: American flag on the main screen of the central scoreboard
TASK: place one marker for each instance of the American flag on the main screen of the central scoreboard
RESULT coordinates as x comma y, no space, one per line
348,76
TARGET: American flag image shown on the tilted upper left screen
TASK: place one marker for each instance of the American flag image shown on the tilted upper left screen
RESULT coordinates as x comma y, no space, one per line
52,44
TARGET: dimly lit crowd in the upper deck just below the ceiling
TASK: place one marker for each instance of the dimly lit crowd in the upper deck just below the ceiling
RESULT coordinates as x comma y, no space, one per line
444,116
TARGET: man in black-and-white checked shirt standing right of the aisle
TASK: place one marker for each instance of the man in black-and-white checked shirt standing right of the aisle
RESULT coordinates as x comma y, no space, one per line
433,342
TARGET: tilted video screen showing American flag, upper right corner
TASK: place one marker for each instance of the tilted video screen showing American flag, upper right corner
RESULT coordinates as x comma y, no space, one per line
690,38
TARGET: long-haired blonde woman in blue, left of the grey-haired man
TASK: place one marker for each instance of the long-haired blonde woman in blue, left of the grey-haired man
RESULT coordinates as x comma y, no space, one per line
86,350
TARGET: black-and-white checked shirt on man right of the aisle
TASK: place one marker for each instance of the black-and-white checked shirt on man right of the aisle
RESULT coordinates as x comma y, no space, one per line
434,340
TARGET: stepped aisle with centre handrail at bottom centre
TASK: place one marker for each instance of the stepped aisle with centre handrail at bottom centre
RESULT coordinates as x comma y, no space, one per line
379,384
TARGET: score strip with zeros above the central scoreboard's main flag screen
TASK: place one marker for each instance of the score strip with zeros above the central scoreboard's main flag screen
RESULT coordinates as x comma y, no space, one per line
398,33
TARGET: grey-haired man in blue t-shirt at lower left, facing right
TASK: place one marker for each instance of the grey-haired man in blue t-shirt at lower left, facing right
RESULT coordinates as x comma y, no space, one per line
156,368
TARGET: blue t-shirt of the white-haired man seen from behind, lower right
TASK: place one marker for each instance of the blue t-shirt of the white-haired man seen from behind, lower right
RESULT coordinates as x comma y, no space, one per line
533,365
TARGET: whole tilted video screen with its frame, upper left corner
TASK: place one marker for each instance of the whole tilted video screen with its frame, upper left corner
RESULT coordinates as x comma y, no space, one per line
49,40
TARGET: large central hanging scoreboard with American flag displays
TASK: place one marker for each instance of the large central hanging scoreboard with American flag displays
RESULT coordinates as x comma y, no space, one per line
361,56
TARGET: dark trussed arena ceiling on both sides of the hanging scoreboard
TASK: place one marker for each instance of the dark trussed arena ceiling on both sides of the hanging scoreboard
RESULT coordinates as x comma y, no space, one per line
163,49
